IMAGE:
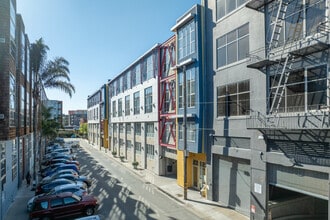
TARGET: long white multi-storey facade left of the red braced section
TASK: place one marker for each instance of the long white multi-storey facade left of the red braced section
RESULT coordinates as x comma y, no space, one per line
133,112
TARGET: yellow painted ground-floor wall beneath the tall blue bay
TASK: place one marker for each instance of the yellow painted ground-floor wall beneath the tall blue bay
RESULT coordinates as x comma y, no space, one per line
180,166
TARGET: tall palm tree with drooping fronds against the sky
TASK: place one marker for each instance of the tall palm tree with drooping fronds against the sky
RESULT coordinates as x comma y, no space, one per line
46,74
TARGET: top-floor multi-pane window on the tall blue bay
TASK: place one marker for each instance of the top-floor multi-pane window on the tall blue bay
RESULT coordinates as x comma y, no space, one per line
187,40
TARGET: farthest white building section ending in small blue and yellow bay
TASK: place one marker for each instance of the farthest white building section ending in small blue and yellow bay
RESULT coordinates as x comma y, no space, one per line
97,118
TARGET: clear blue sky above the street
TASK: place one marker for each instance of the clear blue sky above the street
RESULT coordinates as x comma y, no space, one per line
99,38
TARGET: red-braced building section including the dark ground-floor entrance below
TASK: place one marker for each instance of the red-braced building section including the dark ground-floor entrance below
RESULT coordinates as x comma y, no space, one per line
167,107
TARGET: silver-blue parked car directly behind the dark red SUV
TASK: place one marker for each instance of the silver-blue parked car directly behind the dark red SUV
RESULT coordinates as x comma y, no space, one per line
74,188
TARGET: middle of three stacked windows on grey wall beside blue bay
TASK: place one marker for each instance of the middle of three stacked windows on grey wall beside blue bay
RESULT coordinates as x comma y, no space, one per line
233,46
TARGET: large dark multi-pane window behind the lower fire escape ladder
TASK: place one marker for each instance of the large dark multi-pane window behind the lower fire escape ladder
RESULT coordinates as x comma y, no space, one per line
305,90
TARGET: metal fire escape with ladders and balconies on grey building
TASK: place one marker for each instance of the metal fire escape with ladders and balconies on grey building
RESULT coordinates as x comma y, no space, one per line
277,60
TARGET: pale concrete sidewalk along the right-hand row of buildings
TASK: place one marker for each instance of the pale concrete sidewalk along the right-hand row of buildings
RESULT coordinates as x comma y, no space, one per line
205,209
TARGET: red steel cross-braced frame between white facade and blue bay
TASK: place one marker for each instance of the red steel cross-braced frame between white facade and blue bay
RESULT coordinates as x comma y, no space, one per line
167,101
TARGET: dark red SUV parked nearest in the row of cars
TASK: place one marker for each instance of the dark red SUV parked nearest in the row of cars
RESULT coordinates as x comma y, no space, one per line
63,206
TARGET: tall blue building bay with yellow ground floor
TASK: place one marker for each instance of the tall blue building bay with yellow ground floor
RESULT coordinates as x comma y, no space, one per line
193,92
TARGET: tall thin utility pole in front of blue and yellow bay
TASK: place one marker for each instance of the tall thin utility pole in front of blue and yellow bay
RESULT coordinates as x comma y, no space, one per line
185,152
